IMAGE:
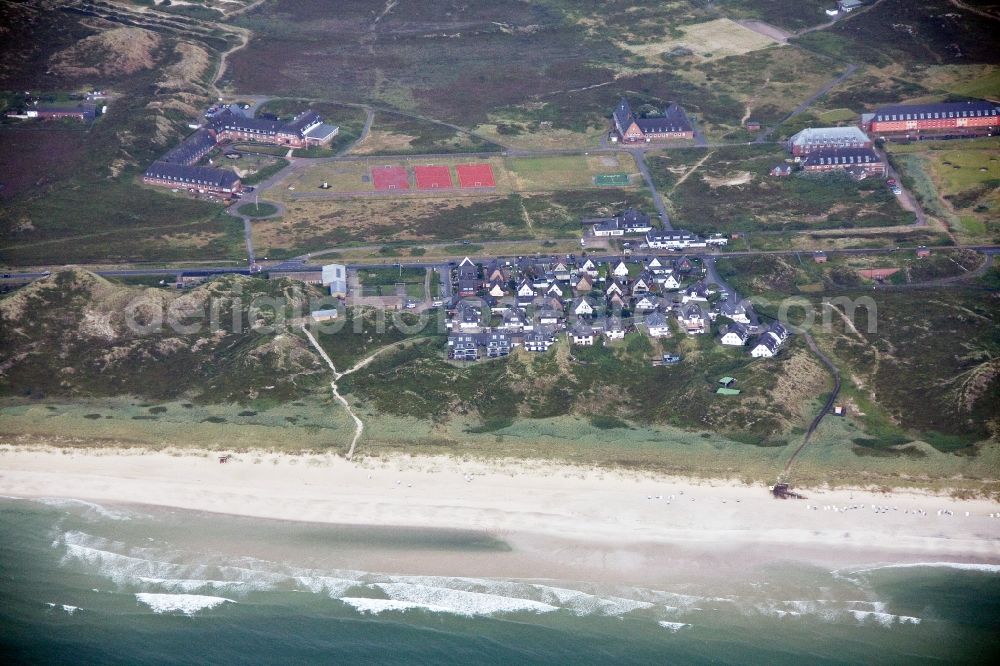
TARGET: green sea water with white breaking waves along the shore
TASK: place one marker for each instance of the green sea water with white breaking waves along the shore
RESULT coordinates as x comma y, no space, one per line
83,583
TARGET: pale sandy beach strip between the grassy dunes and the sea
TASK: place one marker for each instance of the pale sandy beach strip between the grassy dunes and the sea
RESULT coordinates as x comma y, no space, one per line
635,521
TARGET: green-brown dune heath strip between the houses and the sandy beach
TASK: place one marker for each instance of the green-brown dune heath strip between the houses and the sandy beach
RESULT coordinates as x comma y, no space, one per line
76,372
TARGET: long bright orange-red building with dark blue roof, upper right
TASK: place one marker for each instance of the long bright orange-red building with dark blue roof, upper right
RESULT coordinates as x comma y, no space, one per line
946,118
